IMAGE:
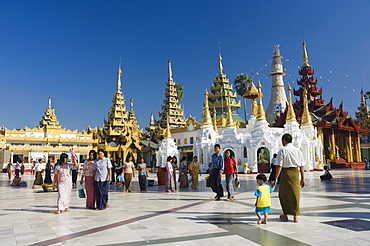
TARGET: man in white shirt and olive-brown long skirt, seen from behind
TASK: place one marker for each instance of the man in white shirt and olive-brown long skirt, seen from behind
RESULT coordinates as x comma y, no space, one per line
288,160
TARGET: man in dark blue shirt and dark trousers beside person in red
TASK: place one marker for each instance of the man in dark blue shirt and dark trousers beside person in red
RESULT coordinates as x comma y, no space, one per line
216,173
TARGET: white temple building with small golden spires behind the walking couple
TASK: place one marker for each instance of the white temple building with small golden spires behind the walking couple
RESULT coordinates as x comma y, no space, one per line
254,145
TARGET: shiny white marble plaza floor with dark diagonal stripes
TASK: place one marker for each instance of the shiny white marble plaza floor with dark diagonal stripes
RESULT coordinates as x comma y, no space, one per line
333,212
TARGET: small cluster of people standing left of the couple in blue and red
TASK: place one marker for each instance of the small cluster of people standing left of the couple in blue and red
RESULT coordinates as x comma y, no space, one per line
184,169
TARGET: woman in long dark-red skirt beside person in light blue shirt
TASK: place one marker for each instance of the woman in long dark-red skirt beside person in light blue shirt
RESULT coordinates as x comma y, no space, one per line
87,174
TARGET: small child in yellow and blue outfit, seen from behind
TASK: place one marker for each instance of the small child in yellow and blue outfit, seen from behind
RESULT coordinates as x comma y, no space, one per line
263,200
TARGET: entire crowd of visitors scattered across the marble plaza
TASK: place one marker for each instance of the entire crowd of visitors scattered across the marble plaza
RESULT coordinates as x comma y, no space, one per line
98,172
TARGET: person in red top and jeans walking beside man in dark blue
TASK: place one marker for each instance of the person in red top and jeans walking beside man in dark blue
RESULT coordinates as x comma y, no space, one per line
231,169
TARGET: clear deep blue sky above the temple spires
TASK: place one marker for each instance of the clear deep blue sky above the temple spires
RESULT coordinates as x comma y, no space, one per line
70,50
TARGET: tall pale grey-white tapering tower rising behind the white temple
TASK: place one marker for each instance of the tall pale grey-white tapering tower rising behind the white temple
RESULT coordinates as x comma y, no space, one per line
278,100
